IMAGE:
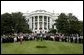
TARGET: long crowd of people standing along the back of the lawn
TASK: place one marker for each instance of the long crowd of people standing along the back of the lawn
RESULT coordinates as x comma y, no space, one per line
40,36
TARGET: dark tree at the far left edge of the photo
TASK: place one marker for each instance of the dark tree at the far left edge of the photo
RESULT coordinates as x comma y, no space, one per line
6,23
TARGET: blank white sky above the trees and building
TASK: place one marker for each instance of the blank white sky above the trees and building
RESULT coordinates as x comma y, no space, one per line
74,7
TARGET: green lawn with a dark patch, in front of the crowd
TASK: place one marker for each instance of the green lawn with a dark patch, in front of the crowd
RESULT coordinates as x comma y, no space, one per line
50,47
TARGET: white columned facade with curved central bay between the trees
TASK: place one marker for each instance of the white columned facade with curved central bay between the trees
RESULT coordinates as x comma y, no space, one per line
40,20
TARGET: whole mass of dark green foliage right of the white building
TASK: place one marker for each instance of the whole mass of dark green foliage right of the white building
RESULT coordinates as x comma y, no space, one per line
69,24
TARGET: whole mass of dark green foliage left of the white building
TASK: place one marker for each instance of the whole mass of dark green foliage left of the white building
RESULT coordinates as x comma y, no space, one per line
14,22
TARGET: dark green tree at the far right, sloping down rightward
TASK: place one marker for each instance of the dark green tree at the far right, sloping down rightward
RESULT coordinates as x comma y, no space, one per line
74,25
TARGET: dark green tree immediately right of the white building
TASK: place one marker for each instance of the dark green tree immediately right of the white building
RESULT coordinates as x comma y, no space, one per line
62,23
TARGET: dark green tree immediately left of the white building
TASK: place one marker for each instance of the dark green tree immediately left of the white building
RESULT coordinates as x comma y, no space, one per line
20,23
